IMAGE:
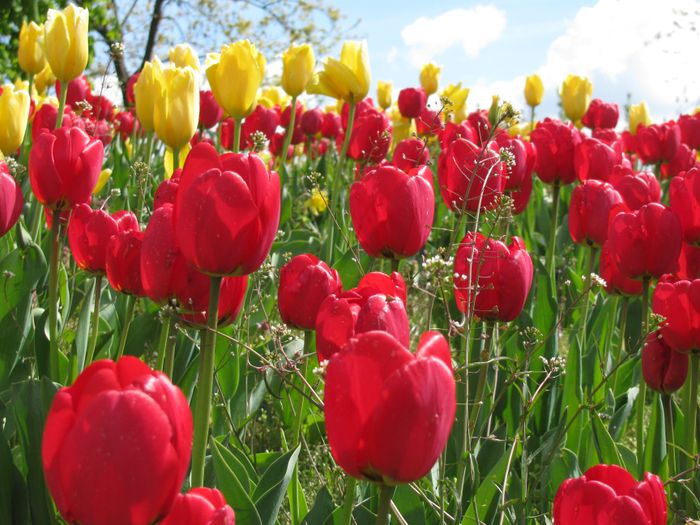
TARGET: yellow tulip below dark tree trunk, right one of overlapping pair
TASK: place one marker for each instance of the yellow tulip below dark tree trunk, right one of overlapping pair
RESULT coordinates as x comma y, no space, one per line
176,106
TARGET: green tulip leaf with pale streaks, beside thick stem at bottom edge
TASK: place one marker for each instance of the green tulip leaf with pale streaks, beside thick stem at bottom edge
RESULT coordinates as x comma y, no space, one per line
233,480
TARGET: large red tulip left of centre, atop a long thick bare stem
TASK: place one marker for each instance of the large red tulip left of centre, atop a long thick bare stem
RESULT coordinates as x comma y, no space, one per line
227,211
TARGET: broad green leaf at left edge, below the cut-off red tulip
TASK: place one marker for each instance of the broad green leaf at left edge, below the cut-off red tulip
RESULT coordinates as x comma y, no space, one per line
20,271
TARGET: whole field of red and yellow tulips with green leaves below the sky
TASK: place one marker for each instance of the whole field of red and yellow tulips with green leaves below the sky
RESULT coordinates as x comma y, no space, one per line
313,302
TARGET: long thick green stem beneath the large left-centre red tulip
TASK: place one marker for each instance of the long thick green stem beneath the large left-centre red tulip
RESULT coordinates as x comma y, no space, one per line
205,384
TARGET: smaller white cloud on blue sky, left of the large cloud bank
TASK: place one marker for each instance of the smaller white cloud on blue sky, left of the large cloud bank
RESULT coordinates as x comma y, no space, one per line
472,28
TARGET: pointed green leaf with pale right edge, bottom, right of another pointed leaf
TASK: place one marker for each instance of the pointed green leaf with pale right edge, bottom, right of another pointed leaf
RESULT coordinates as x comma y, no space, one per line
271,489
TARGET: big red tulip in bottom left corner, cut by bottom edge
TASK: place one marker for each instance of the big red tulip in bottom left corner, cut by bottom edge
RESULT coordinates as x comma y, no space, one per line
117,444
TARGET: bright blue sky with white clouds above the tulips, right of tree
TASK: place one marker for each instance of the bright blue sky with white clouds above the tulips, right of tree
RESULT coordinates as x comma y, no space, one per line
644,48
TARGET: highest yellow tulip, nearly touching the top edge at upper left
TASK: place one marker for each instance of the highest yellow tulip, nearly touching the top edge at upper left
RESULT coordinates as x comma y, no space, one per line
65,42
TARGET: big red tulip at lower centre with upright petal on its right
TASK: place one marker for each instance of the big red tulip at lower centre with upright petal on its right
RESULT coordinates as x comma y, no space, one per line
388,411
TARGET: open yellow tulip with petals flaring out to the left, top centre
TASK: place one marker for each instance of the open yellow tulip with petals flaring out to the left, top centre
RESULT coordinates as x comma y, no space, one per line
348,78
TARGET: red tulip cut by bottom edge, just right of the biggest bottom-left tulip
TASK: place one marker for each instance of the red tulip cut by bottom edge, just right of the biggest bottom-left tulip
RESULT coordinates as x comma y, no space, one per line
200,506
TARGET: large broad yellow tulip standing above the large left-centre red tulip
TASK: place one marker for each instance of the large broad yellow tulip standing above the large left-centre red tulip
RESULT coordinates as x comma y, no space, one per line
235,76
